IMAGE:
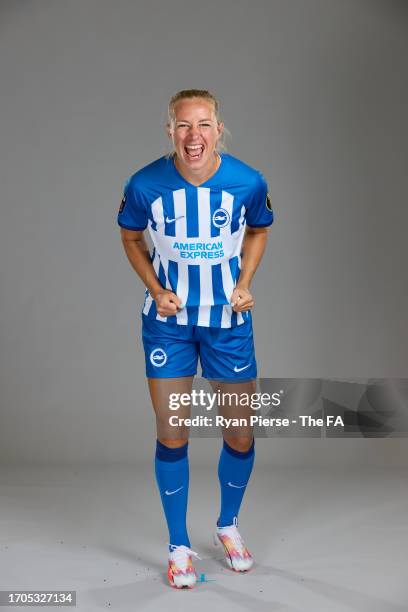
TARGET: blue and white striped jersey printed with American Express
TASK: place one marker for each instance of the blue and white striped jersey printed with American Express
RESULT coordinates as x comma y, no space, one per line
197,234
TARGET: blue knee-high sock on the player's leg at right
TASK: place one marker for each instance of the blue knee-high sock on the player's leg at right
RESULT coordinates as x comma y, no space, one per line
234,470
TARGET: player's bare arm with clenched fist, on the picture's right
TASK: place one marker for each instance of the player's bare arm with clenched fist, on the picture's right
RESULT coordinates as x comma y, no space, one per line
253,248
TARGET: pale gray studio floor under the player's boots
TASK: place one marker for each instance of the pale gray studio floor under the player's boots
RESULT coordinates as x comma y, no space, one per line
323,540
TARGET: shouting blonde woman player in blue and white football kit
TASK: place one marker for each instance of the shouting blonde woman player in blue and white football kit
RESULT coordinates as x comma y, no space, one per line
207,214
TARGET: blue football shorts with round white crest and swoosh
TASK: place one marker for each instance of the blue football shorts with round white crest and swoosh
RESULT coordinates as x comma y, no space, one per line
172,350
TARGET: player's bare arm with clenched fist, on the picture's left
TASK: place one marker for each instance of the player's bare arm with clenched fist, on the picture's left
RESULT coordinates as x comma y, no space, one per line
137,253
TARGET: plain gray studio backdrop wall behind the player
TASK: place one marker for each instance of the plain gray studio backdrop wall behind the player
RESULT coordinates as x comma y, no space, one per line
315,95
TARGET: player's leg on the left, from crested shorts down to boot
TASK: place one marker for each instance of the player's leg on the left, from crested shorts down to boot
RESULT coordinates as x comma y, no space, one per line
171,363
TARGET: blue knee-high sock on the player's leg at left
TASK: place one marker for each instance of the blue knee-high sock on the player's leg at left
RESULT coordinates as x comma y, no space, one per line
172,475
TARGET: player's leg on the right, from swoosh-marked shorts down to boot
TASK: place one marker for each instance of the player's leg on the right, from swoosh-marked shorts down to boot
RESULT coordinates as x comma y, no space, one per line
228,360
